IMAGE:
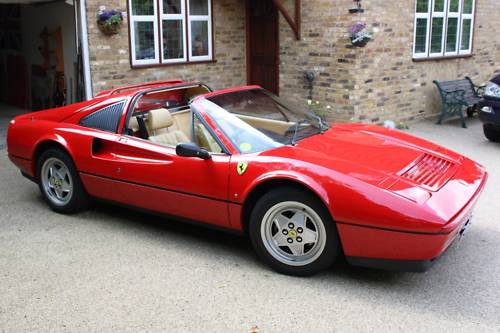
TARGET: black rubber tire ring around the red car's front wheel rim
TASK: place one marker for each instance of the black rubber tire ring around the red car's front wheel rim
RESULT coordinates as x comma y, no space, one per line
325,258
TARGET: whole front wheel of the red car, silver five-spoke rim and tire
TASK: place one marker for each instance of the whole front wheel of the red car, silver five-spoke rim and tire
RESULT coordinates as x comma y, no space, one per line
293,232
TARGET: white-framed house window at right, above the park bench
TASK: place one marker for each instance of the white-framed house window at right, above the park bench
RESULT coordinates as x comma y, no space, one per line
443,28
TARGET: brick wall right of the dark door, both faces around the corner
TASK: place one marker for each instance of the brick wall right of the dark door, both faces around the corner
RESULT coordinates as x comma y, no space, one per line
380,81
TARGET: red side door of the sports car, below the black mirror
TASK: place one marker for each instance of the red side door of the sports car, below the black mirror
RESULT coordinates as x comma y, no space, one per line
154,177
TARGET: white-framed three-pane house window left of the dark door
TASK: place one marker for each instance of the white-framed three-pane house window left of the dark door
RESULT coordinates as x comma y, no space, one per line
170,31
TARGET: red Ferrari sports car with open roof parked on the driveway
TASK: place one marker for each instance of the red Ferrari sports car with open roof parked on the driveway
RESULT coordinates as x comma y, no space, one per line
243,159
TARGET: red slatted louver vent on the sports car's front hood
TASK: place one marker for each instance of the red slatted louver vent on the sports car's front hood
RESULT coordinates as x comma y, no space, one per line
430,171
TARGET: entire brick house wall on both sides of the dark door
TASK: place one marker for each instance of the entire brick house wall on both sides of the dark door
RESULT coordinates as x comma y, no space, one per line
371,84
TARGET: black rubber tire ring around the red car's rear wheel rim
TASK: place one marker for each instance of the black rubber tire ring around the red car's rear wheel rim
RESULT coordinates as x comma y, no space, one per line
79,199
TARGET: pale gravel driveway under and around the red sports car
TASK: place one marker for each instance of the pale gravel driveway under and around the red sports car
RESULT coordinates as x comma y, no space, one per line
115,270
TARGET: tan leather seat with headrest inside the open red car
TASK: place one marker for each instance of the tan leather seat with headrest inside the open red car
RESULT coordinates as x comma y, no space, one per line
158,123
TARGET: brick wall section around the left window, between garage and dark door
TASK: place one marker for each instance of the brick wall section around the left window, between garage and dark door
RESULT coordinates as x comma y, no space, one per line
109,55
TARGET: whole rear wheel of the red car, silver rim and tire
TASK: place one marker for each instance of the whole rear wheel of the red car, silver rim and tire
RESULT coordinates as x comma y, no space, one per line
59,182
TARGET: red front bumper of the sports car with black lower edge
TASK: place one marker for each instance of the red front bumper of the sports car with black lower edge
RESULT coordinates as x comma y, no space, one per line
403,250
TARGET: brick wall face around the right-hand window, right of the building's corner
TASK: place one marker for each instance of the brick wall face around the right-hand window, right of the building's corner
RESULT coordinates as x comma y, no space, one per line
393,86
